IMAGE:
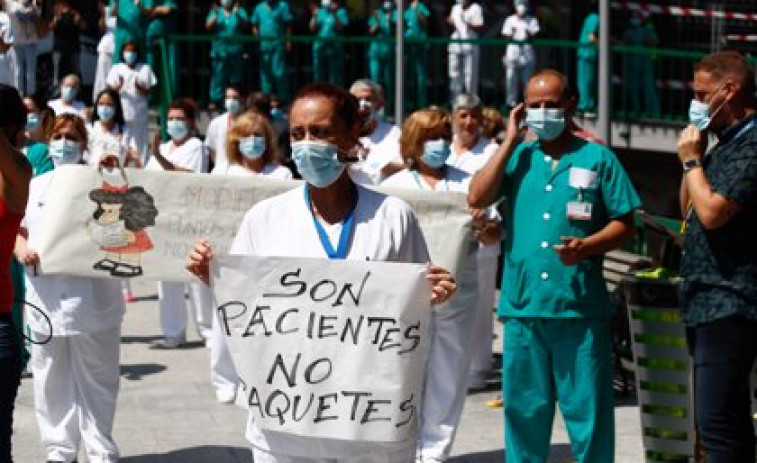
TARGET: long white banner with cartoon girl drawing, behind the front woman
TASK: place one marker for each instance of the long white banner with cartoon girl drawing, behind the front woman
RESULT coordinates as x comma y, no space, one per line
184,207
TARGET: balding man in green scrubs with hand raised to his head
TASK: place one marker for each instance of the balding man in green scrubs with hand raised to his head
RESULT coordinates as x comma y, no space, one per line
570,201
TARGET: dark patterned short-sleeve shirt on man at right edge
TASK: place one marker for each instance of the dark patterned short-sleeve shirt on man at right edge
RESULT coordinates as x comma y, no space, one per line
720,266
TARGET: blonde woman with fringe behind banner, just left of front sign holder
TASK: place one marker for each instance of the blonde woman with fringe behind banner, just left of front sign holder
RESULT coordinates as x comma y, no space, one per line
251,151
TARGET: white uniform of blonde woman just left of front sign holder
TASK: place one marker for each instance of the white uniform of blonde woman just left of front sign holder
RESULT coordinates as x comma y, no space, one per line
223,375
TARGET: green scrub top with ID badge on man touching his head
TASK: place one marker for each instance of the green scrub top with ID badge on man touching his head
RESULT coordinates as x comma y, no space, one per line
535,283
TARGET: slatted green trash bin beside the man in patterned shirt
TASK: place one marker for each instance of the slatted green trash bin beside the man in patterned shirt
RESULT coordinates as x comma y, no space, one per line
663,369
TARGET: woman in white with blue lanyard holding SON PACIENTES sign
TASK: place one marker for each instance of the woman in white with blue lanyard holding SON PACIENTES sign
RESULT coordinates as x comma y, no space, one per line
325,128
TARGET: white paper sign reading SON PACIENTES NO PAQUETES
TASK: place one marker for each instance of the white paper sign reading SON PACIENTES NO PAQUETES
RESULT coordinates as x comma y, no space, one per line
331,349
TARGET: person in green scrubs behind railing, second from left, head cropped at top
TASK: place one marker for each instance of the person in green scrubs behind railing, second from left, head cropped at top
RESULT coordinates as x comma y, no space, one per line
272,18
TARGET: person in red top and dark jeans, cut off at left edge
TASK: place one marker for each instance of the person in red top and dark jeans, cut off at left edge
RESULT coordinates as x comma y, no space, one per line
15,174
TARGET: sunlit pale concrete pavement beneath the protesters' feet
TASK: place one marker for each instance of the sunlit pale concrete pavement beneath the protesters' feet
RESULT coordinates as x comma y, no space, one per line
167,412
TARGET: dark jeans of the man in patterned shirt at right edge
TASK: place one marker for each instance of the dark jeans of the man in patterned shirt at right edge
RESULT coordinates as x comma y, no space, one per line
723,352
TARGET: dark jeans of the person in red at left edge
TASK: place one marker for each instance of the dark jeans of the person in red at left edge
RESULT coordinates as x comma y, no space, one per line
10,379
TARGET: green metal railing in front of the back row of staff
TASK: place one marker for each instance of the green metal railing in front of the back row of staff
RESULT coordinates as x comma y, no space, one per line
671,70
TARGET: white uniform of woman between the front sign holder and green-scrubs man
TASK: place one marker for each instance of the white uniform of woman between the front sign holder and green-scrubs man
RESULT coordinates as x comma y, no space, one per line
450,350
